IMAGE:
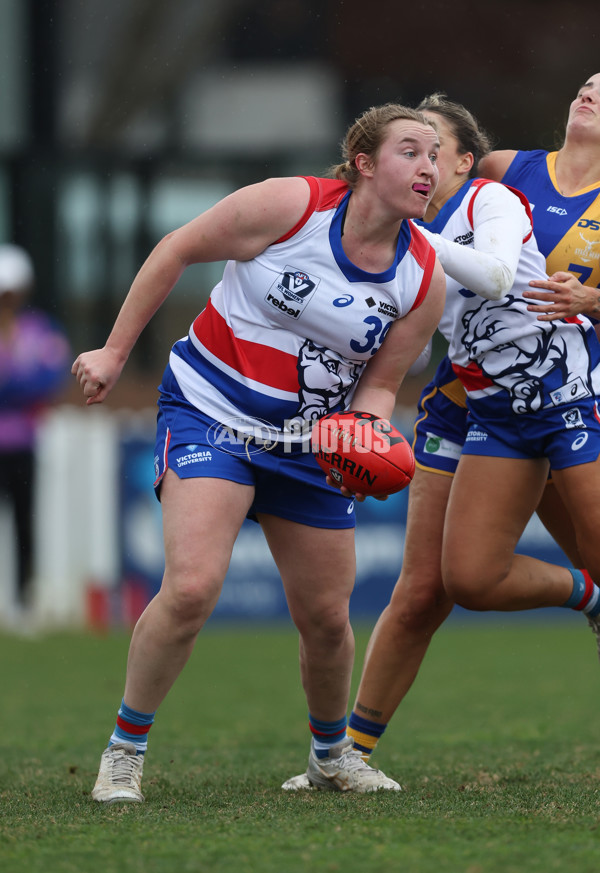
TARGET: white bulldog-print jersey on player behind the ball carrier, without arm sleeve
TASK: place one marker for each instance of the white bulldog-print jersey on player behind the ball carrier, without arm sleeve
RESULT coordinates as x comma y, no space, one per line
497,345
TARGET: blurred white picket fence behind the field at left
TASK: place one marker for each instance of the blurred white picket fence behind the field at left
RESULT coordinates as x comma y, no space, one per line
75,518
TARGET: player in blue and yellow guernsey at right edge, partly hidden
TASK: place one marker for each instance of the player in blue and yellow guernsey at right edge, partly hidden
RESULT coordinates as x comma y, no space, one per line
563,188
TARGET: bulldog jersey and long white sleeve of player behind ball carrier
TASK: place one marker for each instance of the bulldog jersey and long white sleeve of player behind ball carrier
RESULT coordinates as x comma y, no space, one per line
496,344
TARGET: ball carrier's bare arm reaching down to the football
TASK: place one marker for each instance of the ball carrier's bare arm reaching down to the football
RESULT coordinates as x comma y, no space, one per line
405,340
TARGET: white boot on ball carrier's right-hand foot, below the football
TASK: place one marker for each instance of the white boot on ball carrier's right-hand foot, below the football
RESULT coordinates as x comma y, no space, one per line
343,770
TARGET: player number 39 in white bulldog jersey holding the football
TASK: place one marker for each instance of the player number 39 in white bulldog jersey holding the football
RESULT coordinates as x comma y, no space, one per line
328,296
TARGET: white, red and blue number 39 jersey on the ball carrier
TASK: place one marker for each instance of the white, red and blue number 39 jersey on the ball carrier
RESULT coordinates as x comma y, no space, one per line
286,335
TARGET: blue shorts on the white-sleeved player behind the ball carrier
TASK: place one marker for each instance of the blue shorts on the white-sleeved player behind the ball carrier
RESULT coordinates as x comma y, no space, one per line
566,435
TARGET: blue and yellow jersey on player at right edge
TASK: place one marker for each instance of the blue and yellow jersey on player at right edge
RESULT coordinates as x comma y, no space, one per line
567,228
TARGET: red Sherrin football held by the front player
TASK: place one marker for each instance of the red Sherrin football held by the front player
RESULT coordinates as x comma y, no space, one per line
366,454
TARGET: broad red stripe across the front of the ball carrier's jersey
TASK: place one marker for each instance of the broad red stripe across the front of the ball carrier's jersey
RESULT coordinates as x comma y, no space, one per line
254,360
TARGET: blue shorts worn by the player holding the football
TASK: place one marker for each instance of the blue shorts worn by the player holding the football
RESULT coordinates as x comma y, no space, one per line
290,485
